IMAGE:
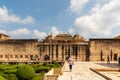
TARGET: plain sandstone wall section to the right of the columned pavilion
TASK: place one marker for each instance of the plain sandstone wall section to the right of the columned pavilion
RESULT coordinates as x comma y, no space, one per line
101,48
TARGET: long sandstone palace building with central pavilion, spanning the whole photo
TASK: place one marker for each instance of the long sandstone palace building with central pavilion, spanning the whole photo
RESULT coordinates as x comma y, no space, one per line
58,48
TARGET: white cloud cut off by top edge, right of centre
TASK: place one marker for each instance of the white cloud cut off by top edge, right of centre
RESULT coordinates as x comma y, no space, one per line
77,5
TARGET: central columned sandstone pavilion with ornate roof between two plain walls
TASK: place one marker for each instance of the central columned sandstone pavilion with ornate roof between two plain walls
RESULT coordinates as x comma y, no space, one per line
61,46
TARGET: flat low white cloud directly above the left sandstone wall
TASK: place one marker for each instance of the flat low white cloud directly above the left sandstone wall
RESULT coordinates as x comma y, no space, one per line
19,32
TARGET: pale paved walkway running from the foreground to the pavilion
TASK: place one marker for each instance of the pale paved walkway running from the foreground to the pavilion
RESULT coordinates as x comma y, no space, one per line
81,71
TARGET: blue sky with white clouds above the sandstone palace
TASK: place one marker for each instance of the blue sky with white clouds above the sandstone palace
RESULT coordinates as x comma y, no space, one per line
38,18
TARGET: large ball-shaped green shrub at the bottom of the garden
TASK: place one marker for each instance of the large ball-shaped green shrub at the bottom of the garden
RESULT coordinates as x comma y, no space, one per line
25,72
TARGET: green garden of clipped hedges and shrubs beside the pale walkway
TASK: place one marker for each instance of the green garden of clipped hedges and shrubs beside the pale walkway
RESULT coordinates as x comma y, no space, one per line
23,72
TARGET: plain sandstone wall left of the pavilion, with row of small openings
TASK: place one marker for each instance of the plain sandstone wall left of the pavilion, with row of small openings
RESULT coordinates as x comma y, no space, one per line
18,50
